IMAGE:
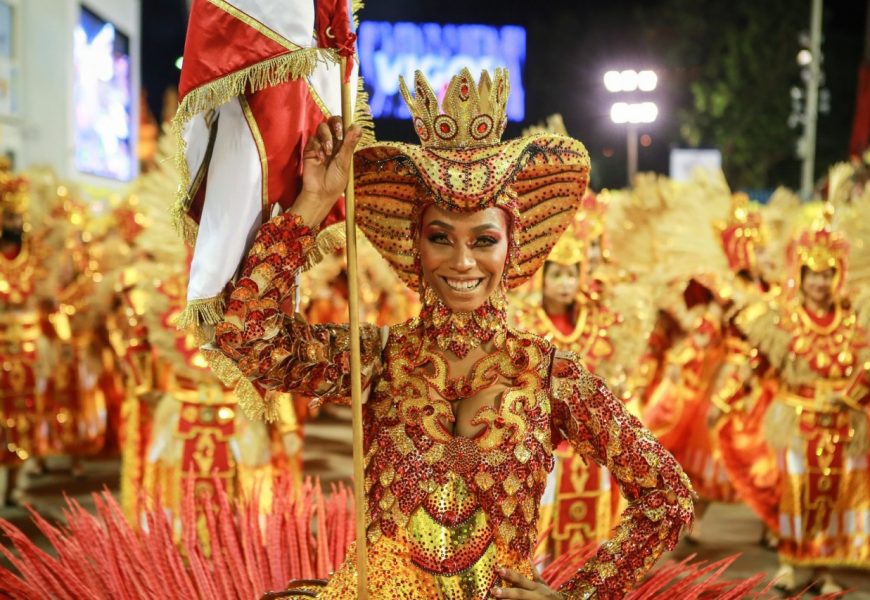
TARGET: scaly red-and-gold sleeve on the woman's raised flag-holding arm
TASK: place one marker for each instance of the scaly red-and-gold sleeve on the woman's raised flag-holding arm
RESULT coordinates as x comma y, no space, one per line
281,351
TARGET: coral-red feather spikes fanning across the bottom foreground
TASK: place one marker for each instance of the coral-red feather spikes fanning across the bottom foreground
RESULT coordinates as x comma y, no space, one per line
219,549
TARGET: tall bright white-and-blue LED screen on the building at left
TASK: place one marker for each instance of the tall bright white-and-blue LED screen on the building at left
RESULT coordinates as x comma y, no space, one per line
102,92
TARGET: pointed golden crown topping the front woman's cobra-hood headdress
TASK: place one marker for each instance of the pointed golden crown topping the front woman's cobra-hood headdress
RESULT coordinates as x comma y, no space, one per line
470,115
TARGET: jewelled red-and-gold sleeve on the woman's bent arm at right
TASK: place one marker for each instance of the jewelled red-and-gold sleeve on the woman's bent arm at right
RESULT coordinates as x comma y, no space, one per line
660,496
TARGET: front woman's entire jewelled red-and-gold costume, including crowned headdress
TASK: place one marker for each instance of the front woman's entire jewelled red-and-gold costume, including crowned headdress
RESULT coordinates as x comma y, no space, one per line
444,511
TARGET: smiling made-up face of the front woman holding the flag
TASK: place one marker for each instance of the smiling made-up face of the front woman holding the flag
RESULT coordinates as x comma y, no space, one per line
463,255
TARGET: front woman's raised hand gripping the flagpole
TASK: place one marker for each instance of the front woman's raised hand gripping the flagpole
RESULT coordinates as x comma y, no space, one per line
326,164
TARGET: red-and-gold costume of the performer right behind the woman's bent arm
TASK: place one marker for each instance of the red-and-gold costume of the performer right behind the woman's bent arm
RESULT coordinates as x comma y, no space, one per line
581,502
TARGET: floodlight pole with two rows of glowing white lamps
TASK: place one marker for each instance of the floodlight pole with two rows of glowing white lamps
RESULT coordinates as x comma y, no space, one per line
632,113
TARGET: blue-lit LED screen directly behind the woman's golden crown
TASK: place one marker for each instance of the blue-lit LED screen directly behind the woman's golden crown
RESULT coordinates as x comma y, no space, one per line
387,50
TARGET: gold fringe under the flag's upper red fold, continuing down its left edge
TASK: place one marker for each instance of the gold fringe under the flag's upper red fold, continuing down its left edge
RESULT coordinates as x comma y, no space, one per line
269,73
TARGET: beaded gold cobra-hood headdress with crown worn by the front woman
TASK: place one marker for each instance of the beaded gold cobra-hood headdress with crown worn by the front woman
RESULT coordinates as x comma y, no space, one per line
462,165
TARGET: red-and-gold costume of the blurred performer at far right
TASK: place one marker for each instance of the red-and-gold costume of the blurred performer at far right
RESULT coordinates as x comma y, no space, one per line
816,426
